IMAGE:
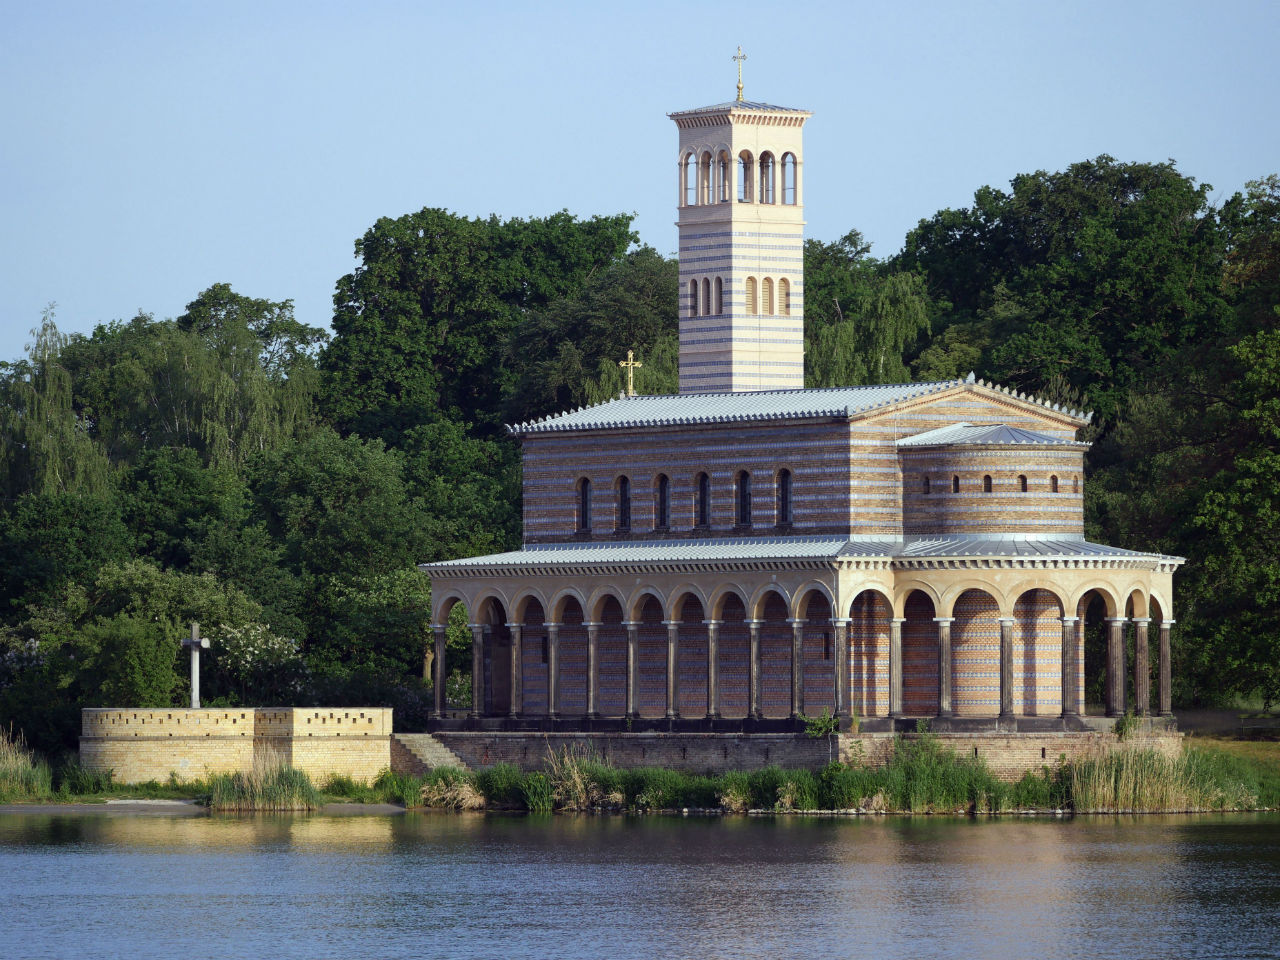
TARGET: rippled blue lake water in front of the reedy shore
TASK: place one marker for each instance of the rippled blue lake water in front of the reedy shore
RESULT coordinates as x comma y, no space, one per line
474,886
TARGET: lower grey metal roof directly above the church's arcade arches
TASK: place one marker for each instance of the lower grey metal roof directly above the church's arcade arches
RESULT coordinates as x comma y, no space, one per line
833,548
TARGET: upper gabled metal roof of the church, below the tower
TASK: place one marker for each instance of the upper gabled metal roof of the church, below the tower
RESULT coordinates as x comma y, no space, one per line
683,409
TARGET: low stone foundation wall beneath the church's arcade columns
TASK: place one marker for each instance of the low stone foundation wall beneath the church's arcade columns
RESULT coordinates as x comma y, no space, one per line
1008,756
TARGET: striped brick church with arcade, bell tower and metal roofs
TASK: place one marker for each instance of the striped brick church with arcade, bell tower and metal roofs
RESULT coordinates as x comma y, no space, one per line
748,554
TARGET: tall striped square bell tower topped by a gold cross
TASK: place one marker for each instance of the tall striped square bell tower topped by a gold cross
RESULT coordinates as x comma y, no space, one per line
742,246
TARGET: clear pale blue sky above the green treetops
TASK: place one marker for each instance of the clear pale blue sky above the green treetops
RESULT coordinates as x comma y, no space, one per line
150,150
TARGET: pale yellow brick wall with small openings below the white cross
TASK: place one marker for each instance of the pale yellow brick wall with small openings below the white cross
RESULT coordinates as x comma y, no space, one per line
150,744
